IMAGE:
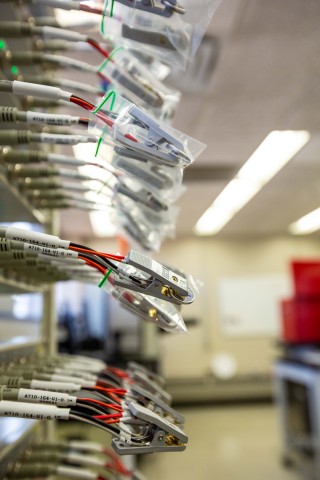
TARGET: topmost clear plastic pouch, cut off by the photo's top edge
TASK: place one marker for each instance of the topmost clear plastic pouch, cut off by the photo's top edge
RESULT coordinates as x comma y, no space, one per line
159,29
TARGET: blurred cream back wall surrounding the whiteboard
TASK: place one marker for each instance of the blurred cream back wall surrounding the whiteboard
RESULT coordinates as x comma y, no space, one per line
211,260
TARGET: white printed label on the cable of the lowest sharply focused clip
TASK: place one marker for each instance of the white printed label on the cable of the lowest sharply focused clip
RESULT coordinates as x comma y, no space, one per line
35,412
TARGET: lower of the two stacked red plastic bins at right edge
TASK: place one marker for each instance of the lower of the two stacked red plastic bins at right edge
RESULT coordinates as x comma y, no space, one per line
301,321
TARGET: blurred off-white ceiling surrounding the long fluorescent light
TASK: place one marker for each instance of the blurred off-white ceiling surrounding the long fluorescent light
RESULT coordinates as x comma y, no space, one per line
267,77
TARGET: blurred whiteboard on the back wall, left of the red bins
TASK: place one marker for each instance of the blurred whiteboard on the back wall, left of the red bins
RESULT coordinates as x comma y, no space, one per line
250,305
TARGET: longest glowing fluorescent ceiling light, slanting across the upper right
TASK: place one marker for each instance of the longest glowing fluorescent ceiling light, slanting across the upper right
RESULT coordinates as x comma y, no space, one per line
276,150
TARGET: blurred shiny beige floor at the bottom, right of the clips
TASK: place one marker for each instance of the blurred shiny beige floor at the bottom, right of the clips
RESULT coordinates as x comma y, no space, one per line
225,443
